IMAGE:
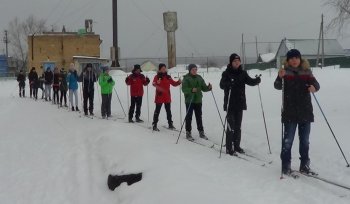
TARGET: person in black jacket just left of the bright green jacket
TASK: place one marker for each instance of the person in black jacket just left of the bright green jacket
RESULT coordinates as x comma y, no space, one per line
88,78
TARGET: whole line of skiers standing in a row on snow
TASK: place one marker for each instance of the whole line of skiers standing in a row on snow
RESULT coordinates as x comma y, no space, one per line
295,80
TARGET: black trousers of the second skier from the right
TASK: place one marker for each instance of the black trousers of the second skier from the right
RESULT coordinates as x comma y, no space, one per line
233,131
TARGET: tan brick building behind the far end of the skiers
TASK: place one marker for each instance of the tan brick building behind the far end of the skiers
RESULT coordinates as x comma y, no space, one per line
56,49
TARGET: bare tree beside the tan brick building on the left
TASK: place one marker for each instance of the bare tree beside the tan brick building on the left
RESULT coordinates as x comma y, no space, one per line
18,36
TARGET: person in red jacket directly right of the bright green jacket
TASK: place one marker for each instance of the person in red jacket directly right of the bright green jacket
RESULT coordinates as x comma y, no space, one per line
136,81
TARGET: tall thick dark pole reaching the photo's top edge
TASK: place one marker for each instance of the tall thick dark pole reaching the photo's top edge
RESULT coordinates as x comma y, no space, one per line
115,48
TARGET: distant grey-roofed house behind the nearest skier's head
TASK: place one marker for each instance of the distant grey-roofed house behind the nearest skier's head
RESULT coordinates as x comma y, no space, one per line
309,49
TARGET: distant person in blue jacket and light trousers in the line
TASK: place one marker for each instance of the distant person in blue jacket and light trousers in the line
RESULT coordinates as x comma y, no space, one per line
72,80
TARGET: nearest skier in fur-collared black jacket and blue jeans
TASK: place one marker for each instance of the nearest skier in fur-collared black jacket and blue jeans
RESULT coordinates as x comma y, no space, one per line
297,82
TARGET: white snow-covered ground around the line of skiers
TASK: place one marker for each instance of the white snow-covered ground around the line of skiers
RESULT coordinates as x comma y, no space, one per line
51,155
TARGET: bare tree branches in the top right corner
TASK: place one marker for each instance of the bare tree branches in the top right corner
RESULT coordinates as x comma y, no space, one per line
342,17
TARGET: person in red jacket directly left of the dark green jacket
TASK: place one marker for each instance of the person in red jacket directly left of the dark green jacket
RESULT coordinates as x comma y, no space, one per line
162,82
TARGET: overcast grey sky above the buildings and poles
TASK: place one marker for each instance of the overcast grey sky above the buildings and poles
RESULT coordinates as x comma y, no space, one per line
206,27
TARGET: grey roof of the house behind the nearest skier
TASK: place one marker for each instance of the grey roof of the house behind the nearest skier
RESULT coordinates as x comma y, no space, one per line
310,46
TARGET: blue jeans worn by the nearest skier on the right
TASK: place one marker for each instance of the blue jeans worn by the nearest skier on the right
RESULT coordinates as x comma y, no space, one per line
289,132
